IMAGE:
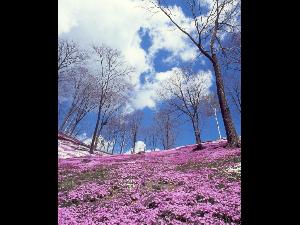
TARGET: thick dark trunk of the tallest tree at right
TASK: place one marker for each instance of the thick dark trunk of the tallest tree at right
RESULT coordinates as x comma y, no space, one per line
231,134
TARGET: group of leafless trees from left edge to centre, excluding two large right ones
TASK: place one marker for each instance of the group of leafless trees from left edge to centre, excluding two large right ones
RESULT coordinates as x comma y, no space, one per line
98,80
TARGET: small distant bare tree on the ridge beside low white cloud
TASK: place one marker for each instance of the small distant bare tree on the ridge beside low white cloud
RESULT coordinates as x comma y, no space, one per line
134,122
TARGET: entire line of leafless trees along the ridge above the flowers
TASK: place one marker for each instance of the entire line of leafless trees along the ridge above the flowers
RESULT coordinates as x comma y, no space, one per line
97,80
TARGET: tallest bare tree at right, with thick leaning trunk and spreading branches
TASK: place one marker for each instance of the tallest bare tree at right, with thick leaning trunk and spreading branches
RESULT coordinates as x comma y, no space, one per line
209,24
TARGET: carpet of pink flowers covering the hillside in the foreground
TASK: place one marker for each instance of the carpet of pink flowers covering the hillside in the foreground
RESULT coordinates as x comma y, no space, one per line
178,186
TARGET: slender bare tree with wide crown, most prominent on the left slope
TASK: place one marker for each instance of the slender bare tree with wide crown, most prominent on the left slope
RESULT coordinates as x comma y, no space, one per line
112,81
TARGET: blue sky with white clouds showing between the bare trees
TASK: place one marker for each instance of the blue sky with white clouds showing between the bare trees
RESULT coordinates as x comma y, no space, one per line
145,45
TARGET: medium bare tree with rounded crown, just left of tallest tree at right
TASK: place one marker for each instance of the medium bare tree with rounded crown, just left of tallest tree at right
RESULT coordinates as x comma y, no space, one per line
184,92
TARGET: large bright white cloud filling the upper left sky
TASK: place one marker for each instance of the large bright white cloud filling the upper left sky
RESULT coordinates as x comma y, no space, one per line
117,24
